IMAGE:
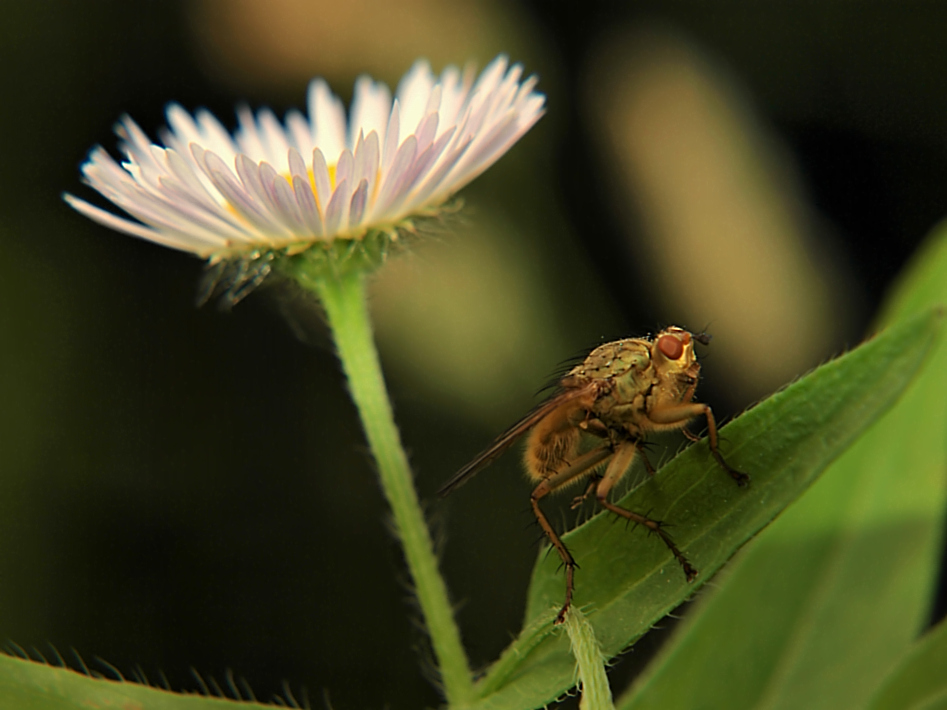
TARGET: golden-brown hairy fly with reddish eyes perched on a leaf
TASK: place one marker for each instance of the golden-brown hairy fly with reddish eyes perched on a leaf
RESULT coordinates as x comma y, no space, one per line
622,392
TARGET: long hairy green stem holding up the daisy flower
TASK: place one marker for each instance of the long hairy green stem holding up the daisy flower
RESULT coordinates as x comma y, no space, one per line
344,299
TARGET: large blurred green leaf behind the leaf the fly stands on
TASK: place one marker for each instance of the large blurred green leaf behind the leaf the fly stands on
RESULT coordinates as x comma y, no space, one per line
826,601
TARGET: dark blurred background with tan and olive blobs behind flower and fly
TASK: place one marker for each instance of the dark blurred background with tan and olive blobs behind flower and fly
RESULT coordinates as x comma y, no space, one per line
183,487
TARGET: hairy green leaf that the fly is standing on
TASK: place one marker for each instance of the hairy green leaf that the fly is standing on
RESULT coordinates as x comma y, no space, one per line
628,581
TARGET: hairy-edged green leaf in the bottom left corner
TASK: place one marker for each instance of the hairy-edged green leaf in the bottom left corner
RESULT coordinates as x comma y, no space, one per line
27,685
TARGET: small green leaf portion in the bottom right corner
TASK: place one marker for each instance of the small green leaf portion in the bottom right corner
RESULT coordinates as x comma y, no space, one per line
921,678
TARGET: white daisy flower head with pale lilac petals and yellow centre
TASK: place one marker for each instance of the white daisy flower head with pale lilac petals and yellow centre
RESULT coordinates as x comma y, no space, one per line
285,187
